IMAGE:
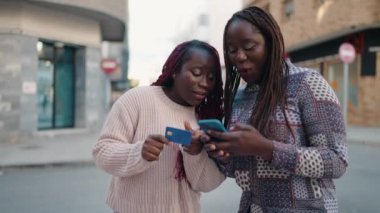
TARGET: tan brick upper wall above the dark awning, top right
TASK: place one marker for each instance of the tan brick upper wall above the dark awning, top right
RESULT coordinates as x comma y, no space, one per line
312,22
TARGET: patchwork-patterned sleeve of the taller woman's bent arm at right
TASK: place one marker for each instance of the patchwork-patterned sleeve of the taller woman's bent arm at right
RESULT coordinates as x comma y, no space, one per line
325,155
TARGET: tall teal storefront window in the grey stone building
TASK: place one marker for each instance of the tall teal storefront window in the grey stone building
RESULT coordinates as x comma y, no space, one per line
55,86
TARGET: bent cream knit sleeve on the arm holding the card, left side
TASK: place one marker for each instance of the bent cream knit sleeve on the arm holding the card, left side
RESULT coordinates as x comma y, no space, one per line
114,151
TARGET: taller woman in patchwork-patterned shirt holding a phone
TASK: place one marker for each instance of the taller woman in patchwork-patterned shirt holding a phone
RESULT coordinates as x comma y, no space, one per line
286,139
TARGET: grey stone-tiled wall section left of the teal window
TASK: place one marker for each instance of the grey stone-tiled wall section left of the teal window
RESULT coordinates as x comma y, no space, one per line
18,66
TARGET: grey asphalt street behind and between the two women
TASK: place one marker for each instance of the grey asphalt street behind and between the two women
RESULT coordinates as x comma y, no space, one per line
83,188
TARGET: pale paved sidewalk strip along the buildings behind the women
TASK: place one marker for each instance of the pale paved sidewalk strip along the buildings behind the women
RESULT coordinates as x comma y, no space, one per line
75,146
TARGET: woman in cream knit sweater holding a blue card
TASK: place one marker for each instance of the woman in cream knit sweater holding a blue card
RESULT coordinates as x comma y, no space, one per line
150,174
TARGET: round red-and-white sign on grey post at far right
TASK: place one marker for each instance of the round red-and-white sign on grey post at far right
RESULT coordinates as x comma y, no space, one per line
347,55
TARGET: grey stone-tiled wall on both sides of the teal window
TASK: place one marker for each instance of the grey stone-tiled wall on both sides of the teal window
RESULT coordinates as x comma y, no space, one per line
18,101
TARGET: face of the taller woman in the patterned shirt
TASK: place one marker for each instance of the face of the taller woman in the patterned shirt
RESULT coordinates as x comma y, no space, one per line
246,50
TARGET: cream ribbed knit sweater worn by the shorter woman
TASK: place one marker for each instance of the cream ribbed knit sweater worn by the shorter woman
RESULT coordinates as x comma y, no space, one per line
141,186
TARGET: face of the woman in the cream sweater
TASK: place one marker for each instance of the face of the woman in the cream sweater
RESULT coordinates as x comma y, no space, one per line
195,80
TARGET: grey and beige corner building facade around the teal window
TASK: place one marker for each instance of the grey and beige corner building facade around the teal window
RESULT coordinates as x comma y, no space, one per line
22,25
